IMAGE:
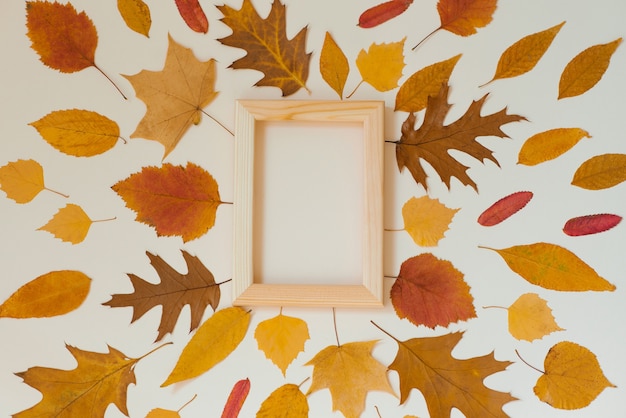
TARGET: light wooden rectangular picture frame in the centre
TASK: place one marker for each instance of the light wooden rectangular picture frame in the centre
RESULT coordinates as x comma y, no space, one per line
368,294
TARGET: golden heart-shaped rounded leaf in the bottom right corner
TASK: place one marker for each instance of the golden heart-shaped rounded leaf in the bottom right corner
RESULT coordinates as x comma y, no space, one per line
572,378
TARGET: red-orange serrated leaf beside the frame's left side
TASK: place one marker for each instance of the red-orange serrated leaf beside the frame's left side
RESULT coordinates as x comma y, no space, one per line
175,200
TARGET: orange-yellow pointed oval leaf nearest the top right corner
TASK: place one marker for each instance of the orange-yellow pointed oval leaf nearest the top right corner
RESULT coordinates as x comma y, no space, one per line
586,69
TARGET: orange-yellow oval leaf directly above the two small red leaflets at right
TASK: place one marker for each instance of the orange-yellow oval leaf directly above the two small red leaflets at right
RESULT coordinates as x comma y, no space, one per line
549,145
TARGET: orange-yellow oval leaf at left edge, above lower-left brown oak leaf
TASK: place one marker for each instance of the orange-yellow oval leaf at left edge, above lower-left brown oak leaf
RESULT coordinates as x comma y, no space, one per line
52,294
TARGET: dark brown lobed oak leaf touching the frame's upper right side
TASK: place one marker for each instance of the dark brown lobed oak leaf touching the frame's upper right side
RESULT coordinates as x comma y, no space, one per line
432,140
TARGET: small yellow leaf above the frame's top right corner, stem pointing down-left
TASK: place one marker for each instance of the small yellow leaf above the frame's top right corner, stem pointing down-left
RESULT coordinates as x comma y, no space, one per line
381,66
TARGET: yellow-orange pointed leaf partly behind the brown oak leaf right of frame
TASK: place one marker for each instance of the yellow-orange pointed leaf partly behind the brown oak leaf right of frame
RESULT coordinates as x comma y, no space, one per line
414,93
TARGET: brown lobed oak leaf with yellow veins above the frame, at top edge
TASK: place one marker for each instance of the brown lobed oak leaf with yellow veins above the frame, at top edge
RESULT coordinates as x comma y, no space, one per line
283,62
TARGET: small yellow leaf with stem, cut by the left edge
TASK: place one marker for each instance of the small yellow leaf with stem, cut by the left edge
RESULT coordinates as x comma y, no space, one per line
22,180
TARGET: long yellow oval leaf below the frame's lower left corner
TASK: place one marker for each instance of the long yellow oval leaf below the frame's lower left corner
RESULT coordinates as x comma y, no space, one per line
213,341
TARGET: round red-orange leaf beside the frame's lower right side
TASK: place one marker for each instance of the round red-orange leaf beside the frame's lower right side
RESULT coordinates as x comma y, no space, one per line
431,292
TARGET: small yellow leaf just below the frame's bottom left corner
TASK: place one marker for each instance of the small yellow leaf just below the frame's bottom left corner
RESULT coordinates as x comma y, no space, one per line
282,338
